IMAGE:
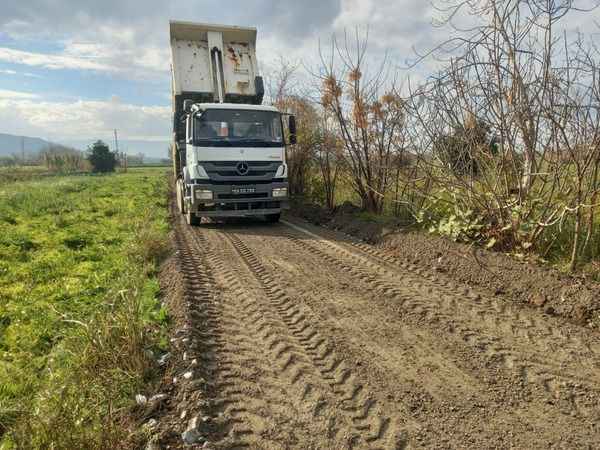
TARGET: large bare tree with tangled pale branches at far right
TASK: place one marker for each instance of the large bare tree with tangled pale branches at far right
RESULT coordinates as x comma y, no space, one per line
509,120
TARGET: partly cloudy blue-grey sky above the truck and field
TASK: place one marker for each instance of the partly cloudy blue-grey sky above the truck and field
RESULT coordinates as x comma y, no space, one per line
72,71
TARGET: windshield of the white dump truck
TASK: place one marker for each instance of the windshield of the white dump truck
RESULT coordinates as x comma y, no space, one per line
230,127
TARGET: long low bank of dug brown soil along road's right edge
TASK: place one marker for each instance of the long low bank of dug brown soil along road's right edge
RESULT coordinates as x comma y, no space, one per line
526,282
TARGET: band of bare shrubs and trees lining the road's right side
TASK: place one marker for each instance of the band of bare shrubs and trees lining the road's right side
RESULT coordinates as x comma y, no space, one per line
500,147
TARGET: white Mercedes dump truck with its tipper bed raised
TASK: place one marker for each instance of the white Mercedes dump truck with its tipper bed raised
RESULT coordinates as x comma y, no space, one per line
228,149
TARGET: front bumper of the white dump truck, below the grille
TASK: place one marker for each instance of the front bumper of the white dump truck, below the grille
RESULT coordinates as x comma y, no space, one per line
256,200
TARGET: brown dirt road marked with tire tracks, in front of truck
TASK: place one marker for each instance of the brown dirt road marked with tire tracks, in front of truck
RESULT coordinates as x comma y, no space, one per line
303,338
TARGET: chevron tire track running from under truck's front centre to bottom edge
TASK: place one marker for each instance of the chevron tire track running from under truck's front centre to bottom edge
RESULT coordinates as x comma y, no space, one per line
371,427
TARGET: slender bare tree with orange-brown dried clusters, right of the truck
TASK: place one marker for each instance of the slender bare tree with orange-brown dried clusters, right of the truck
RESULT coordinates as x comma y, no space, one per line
369,115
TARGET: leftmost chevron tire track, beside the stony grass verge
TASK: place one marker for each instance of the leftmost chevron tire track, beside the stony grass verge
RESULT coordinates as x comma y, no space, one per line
232,400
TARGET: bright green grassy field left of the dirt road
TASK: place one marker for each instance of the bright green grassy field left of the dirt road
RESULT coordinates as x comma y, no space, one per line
78,307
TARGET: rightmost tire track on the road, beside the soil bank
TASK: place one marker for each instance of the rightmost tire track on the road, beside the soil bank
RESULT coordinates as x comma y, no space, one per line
433,301
